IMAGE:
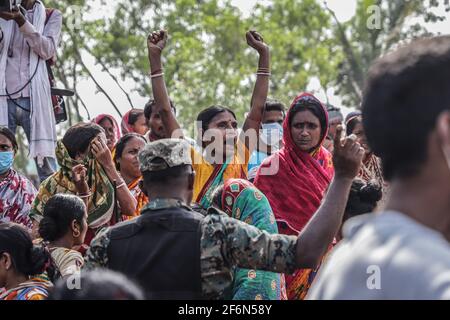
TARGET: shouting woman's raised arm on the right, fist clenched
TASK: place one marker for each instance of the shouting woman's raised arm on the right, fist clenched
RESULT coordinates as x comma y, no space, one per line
259,97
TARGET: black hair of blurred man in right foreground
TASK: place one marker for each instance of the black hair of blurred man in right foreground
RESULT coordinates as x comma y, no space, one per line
404,95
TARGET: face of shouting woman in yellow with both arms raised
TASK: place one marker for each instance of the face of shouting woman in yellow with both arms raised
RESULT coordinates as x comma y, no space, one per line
223,126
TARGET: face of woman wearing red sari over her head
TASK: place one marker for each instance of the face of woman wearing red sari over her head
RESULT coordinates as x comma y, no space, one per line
306,130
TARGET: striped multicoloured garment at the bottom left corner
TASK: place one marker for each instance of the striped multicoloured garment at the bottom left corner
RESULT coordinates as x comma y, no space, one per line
33,289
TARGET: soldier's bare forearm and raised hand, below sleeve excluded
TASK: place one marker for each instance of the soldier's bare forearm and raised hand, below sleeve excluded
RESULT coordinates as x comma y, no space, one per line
316,237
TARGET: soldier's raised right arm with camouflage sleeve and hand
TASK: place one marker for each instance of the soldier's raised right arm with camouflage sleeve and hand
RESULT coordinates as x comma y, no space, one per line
251,248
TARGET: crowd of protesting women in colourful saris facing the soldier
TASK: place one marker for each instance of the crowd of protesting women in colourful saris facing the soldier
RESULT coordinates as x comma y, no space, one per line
44,233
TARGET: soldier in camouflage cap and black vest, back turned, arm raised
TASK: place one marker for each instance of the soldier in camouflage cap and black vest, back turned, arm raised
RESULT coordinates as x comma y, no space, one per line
176,253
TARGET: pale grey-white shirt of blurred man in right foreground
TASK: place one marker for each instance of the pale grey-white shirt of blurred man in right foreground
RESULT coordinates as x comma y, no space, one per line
386,256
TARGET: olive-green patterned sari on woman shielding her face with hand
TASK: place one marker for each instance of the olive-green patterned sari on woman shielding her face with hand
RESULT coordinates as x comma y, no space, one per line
102,200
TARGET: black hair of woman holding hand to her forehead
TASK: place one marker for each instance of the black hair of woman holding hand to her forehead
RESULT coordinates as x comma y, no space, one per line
78,137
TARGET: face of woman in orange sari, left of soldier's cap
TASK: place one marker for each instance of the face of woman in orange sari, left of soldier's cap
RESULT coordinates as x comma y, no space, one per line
129,162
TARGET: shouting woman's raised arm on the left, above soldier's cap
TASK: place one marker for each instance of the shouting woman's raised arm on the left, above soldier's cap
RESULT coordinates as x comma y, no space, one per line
156,43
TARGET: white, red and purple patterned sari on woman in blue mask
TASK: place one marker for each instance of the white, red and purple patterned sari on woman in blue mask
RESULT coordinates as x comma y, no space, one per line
16,196
